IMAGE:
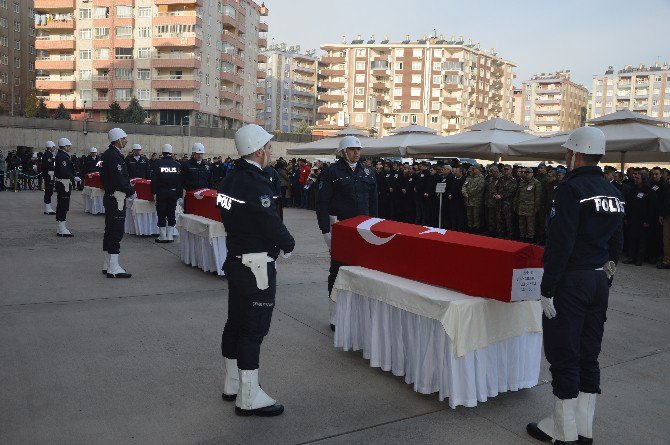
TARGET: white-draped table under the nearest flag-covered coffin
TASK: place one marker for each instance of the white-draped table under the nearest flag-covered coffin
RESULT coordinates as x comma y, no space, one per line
465,348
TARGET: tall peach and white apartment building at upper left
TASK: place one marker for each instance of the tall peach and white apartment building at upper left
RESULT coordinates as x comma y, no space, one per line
188,62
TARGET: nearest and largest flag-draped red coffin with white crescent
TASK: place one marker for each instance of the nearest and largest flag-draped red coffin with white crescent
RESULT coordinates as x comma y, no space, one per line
475,265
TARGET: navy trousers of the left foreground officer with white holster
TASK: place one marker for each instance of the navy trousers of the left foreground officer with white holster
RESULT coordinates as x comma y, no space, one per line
249,313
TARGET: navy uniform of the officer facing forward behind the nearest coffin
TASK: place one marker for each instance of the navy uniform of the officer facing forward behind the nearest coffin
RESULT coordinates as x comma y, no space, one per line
345,193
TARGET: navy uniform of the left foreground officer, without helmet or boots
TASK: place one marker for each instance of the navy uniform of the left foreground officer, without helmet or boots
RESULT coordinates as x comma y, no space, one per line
252,226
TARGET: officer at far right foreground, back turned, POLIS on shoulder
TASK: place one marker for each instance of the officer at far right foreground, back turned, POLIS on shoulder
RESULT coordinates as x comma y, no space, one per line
584,241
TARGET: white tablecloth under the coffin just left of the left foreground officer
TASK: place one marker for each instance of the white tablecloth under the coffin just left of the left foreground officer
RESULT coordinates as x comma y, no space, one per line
202,243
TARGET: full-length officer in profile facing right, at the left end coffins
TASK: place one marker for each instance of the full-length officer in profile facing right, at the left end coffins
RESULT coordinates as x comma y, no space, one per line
116,182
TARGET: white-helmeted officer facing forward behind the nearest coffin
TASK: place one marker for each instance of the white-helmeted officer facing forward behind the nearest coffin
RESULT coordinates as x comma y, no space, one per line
346,189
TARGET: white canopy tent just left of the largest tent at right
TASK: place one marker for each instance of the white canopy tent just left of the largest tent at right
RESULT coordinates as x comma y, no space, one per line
487,140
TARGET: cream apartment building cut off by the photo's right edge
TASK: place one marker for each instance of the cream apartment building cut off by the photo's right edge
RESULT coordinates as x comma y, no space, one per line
642,89
